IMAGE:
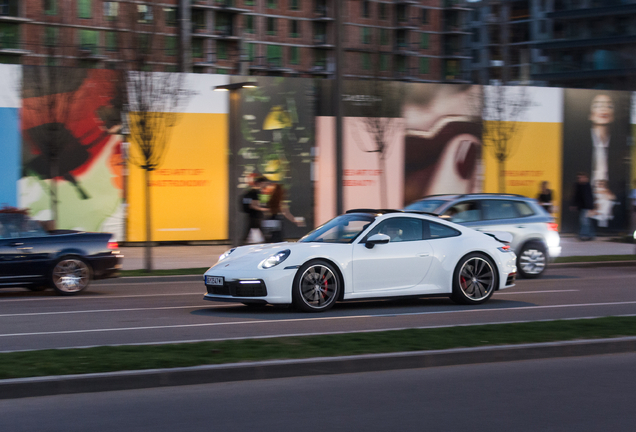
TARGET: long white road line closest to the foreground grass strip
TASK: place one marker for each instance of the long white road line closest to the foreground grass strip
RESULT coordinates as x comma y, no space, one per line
311,319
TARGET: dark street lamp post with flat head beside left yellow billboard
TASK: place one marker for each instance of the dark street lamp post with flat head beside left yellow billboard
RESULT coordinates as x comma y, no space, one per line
234,147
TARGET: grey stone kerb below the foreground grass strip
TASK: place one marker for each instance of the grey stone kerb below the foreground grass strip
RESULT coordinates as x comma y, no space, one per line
129,380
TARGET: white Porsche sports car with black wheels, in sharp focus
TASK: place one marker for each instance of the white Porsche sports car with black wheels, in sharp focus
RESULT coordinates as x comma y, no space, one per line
367,254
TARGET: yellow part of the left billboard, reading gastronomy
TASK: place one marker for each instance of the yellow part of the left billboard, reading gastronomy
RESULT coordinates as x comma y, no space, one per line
189,191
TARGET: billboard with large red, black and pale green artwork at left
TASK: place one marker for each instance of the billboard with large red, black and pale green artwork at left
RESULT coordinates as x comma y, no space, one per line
77,113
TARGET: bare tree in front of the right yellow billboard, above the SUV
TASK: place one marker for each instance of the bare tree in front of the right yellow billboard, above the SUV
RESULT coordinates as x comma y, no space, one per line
503,108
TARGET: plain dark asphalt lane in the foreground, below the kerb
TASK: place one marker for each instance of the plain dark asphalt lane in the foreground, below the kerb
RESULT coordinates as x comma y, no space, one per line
574,394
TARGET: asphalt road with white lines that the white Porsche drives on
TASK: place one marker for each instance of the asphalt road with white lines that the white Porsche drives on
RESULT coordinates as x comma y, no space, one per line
139,310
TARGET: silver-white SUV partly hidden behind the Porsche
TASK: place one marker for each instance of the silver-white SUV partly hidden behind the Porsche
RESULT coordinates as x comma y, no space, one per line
535,234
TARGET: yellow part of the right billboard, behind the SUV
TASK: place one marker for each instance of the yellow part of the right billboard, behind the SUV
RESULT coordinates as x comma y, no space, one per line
536,157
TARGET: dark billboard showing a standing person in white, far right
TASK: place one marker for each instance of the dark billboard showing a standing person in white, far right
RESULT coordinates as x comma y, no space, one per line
596,141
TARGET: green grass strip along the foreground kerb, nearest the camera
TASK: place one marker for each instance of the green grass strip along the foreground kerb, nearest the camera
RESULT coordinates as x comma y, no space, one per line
138,357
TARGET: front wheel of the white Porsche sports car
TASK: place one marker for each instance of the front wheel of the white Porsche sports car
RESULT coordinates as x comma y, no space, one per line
316,287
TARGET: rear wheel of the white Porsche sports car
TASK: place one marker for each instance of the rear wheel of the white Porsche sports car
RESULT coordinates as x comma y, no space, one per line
474,279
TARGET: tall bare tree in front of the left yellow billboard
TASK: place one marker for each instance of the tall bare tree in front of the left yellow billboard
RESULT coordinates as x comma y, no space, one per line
151,100
